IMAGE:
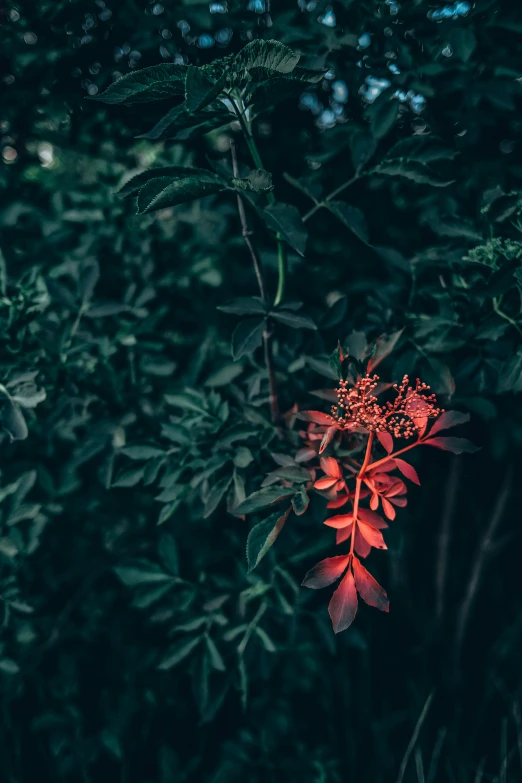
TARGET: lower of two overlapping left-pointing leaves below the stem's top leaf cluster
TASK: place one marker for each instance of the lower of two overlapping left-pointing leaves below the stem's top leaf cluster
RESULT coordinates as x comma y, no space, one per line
163,192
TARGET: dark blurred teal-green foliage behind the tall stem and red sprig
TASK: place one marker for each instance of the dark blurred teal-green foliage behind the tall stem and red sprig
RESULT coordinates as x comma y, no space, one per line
81,556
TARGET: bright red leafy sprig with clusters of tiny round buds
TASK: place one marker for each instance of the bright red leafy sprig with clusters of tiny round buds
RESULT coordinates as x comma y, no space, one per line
346,482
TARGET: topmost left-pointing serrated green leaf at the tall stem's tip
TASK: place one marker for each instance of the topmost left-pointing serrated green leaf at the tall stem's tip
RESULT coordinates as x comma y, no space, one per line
148,84
